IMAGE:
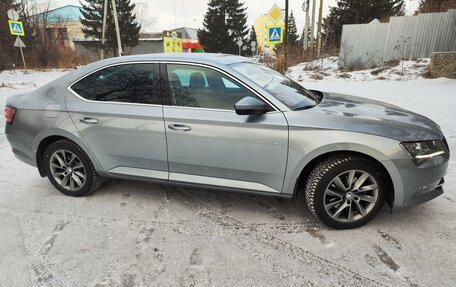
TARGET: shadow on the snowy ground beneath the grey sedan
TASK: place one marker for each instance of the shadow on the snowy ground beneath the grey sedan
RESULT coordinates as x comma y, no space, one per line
246,207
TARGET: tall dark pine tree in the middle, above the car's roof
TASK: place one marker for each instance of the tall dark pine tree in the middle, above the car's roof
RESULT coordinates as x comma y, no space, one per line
224,23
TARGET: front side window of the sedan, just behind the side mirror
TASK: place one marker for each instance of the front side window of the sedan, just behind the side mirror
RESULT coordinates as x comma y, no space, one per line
194,86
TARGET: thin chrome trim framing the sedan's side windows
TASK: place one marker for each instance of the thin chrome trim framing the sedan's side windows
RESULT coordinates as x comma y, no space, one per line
236,80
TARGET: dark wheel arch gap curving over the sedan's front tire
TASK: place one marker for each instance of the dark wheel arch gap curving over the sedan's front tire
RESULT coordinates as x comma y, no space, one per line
311,164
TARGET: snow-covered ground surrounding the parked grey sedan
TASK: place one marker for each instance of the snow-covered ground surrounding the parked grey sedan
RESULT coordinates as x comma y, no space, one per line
133,233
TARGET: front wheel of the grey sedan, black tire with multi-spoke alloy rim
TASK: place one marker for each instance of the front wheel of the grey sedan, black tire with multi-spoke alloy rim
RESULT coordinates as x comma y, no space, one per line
346,191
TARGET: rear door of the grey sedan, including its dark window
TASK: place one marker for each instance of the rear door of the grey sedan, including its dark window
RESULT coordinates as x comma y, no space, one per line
118,112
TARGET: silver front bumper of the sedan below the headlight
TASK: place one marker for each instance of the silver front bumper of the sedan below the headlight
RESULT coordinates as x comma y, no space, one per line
413,185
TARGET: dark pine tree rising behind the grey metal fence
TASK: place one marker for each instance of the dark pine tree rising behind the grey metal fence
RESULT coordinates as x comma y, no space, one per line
359,12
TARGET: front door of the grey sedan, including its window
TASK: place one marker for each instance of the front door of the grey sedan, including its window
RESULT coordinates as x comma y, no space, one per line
208,143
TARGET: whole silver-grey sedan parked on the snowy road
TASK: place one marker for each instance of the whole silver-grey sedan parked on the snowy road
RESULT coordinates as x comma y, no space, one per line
226,122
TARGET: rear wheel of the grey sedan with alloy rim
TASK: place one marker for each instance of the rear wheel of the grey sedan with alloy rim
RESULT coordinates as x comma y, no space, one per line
69,169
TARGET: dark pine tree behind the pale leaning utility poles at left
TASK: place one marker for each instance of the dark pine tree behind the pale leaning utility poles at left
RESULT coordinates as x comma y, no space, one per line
92,21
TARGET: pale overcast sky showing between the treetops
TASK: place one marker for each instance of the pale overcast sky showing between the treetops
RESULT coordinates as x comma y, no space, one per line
158,15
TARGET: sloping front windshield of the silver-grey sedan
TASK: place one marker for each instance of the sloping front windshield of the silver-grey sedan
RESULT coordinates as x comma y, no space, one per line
293,95
